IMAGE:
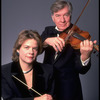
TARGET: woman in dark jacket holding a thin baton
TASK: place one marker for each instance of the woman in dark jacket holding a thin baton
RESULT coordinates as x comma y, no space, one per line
25,68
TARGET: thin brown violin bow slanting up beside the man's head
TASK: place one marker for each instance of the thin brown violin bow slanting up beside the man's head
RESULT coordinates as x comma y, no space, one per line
71,31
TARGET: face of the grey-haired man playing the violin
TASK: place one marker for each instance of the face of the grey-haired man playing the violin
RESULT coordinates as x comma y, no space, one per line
62,18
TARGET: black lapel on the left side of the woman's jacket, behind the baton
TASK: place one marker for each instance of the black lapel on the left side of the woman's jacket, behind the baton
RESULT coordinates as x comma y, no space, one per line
17,72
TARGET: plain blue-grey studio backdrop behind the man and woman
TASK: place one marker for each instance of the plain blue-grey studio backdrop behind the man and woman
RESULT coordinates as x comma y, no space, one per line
17,15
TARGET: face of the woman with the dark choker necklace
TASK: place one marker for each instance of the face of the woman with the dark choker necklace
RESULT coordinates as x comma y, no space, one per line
28,51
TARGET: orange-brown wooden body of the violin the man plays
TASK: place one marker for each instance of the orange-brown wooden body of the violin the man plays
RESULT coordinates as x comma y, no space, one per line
72,40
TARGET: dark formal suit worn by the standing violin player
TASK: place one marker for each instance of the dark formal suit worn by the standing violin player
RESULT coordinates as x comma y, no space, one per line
67,68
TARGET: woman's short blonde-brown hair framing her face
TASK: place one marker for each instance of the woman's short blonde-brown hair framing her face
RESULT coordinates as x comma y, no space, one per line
23,36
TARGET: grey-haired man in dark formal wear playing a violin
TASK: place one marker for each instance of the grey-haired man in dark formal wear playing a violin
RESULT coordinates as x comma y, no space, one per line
68,63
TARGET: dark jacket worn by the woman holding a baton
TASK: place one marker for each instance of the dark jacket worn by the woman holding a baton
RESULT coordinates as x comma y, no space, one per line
12,89
